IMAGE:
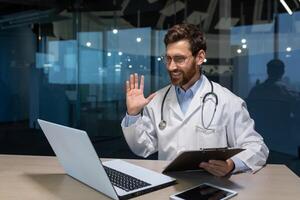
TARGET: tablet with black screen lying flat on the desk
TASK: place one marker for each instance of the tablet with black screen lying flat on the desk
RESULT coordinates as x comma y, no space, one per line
205,191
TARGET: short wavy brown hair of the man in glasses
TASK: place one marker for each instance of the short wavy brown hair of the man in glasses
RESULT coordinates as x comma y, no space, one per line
188,32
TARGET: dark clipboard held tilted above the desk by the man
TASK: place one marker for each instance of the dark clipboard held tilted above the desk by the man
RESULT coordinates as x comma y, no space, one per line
190,160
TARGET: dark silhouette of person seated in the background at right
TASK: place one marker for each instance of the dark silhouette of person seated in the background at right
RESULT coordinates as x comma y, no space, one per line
273,105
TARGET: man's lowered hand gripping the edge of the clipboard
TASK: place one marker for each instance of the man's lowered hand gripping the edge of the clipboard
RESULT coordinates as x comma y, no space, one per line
218,167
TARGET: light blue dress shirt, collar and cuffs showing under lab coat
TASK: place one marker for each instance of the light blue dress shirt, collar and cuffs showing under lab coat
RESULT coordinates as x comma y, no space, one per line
184,99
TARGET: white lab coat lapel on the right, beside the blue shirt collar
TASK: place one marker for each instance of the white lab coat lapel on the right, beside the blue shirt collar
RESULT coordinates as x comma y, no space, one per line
197,99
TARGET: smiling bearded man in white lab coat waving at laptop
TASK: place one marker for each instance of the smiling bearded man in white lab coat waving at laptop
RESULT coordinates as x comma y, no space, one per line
192,113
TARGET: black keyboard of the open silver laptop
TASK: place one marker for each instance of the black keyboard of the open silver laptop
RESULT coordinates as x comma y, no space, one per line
124,181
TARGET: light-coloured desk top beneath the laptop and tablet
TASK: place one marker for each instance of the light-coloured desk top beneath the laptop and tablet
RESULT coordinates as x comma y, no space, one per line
41,177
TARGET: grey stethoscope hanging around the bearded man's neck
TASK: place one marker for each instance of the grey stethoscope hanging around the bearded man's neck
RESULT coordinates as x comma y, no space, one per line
163,123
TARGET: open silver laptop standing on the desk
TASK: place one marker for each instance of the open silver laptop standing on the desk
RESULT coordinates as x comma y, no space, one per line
117,179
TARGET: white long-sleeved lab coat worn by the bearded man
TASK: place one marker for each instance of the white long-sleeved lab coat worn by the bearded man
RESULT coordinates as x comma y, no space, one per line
232,127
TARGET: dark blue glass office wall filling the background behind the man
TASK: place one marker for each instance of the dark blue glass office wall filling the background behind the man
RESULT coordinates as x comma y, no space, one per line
67,62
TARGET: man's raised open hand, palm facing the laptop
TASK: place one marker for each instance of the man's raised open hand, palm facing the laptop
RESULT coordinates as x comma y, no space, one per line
135,100
